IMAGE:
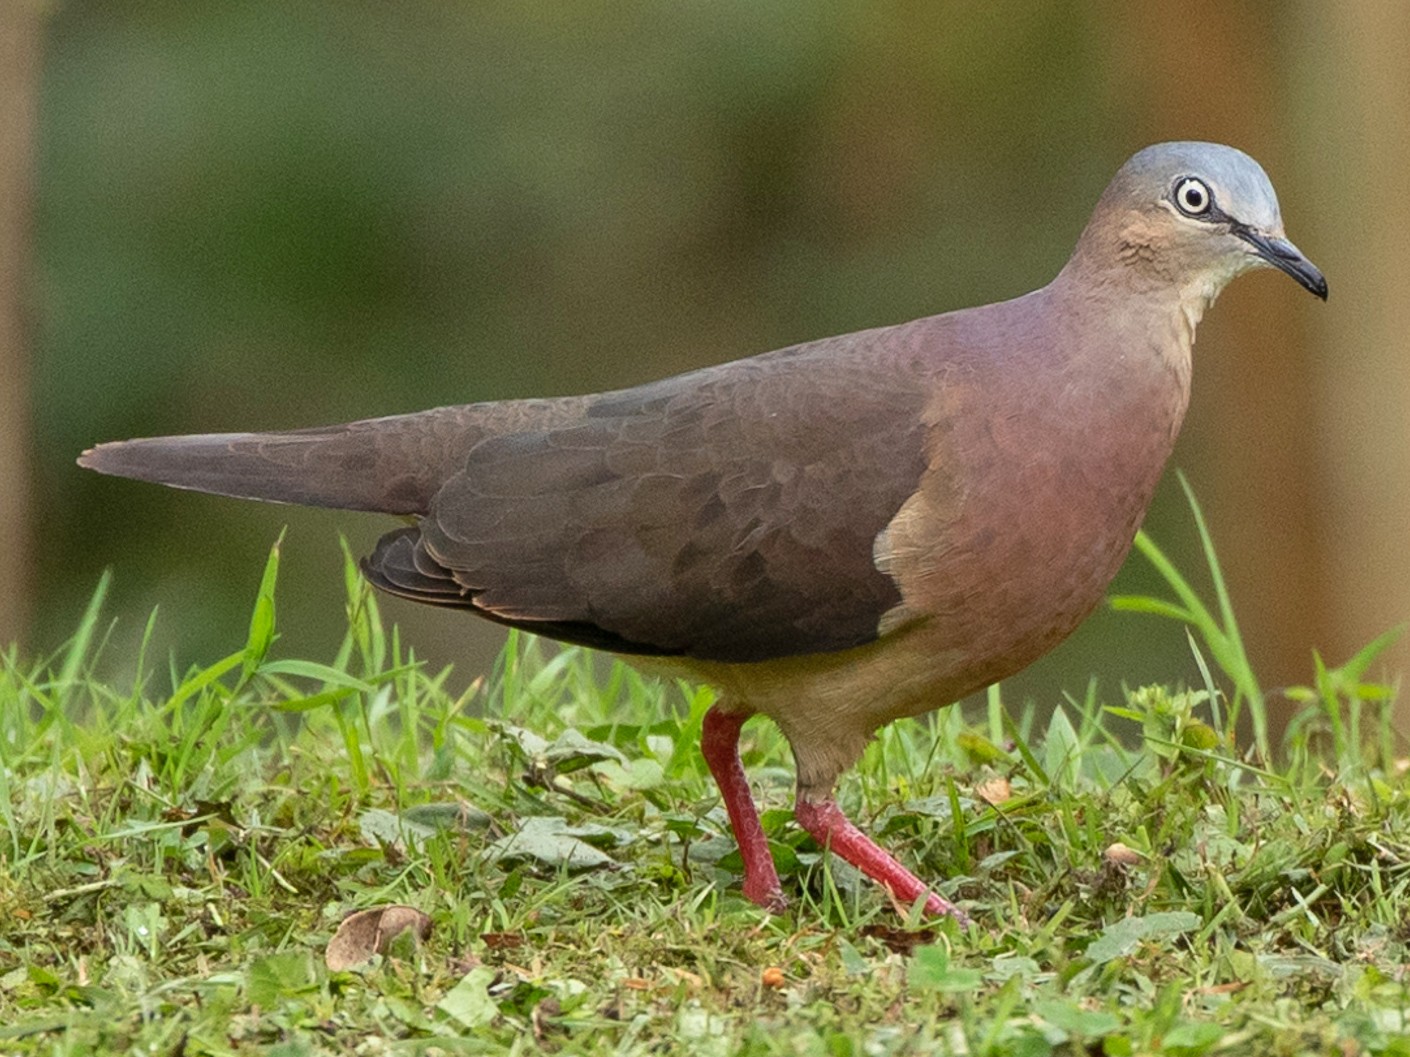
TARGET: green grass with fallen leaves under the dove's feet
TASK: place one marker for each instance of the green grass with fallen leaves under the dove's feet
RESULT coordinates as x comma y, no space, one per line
178,851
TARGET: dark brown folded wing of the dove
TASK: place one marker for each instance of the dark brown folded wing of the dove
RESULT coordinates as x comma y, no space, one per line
725,515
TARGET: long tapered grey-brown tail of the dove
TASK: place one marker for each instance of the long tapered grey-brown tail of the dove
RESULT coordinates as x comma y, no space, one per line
391,466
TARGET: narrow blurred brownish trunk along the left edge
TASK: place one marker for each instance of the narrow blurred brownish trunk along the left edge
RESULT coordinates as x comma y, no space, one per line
20,44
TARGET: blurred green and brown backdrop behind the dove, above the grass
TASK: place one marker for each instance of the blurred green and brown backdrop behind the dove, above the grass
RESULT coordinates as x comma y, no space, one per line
260,216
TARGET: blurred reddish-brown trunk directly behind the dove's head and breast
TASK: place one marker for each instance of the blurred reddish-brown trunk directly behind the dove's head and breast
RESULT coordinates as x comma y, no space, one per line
1247,443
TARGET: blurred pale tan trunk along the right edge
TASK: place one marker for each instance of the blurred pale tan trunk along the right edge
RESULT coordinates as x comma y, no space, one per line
1354,88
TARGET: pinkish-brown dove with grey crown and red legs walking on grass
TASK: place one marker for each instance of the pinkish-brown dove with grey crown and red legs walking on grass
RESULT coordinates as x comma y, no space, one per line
835,535
